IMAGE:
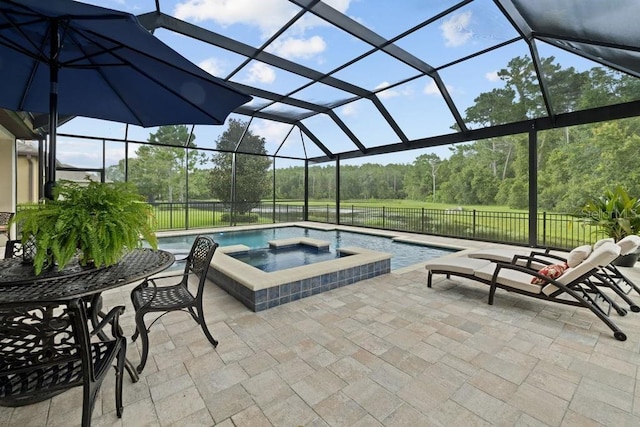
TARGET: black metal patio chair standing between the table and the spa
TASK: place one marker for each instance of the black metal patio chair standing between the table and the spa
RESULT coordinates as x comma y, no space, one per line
165,299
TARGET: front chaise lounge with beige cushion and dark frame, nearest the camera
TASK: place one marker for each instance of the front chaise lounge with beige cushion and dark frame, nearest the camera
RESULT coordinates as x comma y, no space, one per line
573,287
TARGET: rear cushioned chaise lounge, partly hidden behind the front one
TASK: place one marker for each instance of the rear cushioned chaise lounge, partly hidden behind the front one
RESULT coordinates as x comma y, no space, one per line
609,276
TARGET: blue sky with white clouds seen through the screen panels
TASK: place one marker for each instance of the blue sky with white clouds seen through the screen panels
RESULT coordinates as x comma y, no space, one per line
417,106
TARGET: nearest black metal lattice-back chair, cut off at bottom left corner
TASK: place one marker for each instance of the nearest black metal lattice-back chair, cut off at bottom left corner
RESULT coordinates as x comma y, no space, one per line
48,348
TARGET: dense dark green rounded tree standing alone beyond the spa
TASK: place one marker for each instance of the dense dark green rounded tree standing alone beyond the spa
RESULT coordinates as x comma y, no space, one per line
245,151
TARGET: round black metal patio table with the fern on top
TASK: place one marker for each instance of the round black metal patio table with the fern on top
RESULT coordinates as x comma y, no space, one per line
18,282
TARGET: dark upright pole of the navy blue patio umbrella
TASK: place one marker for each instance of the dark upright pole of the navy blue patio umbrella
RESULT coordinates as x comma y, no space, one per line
53,109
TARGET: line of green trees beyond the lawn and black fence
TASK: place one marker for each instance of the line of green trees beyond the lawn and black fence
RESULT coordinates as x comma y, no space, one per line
574,163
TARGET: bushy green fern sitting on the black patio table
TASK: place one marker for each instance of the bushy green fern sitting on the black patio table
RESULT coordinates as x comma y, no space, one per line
97,222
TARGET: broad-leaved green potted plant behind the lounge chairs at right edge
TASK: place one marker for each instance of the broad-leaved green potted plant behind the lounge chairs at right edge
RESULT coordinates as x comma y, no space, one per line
615,214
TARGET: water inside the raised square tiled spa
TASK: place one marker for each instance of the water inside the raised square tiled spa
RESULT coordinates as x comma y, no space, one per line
280,259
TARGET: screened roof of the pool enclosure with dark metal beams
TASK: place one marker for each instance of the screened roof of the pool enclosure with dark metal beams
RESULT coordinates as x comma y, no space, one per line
351,78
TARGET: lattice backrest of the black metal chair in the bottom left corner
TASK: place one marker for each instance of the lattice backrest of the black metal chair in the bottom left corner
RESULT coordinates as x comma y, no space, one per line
38,341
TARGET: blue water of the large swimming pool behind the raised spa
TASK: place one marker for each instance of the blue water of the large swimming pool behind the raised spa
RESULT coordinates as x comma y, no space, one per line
404,254
